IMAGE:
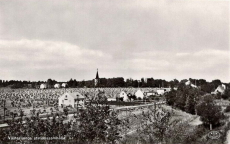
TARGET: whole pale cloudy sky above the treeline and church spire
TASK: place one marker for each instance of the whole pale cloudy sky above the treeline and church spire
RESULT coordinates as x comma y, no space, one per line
63,39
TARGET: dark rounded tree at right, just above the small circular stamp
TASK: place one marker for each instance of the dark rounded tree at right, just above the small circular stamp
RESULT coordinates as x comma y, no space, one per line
209,112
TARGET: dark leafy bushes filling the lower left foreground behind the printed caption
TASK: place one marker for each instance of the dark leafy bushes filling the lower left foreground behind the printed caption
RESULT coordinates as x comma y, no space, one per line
97,123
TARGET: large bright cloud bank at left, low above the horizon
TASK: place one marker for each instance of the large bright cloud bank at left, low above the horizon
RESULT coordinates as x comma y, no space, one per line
48,56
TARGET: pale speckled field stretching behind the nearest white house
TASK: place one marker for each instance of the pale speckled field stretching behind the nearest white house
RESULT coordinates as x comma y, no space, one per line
46,101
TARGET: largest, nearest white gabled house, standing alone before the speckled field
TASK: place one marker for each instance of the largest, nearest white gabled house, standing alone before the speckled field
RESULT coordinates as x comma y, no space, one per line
71,99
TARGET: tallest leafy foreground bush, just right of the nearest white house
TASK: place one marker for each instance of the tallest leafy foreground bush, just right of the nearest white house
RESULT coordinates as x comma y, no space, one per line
97,124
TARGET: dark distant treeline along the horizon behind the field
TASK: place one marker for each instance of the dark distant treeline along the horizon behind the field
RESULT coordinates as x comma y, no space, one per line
116,82
